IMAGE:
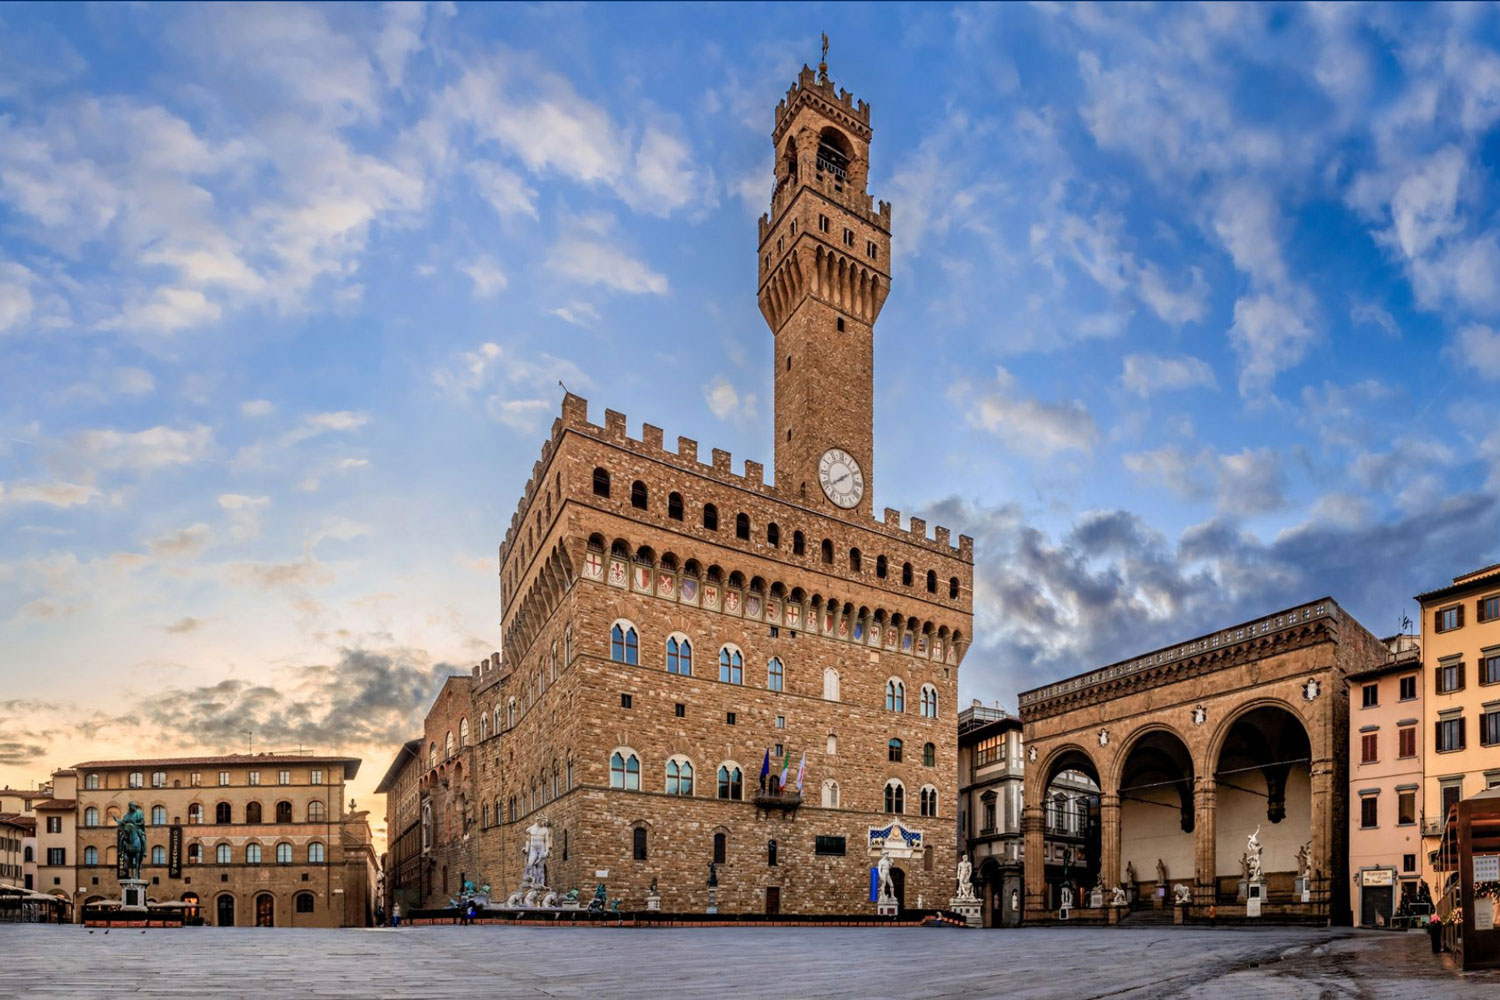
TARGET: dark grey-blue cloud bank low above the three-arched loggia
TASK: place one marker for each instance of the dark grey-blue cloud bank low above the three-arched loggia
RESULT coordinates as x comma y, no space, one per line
1112,587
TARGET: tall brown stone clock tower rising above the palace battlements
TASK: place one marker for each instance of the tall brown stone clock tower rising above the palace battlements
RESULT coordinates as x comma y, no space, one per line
824,265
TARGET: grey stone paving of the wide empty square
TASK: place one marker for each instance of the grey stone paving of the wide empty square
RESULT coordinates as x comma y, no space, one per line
742,963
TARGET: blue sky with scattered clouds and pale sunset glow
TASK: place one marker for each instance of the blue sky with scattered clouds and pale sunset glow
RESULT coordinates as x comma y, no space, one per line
1195,317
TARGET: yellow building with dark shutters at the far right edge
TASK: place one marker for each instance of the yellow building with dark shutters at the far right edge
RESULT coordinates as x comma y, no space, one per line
1462,705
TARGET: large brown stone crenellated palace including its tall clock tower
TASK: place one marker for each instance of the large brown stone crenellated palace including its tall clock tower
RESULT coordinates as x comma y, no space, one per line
674,627
